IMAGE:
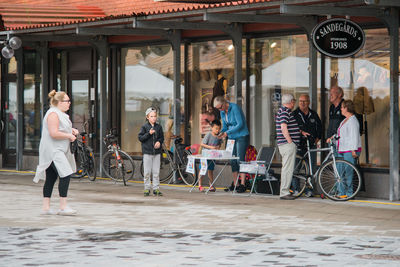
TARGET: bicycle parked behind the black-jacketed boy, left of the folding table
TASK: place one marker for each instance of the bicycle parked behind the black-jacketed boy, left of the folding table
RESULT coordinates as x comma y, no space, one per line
170,167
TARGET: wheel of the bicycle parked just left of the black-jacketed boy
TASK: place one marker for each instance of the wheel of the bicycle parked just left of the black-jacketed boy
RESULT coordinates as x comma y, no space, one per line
118,170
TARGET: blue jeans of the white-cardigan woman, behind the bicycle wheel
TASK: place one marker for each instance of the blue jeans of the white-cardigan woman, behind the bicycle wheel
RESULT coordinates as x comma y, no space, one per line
346,173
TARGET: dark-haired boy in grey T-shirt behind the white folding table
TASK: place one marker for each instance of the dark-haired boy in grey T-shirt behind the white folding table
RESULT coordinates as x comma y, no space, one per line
211,141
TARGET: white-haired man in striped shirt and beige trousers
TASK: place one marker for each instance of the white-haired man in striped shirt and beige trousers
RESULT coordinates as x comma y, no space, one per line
288,137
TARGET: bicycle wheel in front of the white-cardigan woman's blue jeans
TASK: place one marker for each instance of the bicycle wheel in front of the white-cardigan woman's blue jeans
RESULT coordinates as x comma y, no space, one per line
333,184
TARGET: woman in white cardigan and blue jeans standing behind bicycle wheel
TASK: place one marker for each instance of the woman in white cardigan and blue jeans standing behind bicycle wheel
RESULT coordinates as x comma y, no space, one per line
348,145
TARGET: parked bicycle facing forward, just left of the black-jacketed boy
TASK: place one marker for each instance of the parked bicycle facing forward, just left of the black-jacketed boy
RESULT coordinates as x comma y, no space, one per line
116,164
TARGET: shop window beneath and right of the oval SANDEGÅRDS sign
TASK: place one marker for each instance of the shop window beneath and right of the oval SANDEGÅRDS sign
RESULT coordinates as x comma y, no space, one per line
365,79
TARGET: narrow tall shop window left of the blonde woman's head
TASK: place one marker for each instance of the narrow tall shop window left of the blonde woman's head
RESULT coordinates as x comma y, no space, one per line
32,100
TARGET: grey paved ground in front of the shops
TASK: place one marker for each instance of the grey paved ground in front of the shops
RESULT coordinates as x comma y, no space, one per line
117,226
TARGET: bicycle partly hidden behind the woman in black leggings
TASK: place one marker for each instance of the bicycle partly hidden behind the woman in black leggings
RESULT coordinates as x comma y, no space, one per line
84,157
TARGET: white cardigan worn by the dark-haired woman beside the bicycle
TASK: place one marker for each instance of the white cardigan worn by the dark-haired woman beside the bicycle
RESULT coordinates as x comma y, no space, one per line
349,133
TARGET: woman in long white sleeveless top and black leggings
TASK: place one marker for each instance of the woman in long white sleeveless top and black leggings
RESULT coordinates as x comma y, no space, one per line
55,157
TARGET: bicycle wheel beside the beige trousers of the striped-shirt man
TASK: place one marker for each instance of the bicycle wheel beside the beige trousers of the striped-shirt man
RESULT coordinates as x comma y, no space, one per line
301,172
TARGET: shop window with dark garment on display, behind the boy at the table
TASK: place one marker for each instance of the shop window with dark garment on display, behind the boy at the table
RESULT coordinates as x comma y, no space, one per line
211,64
